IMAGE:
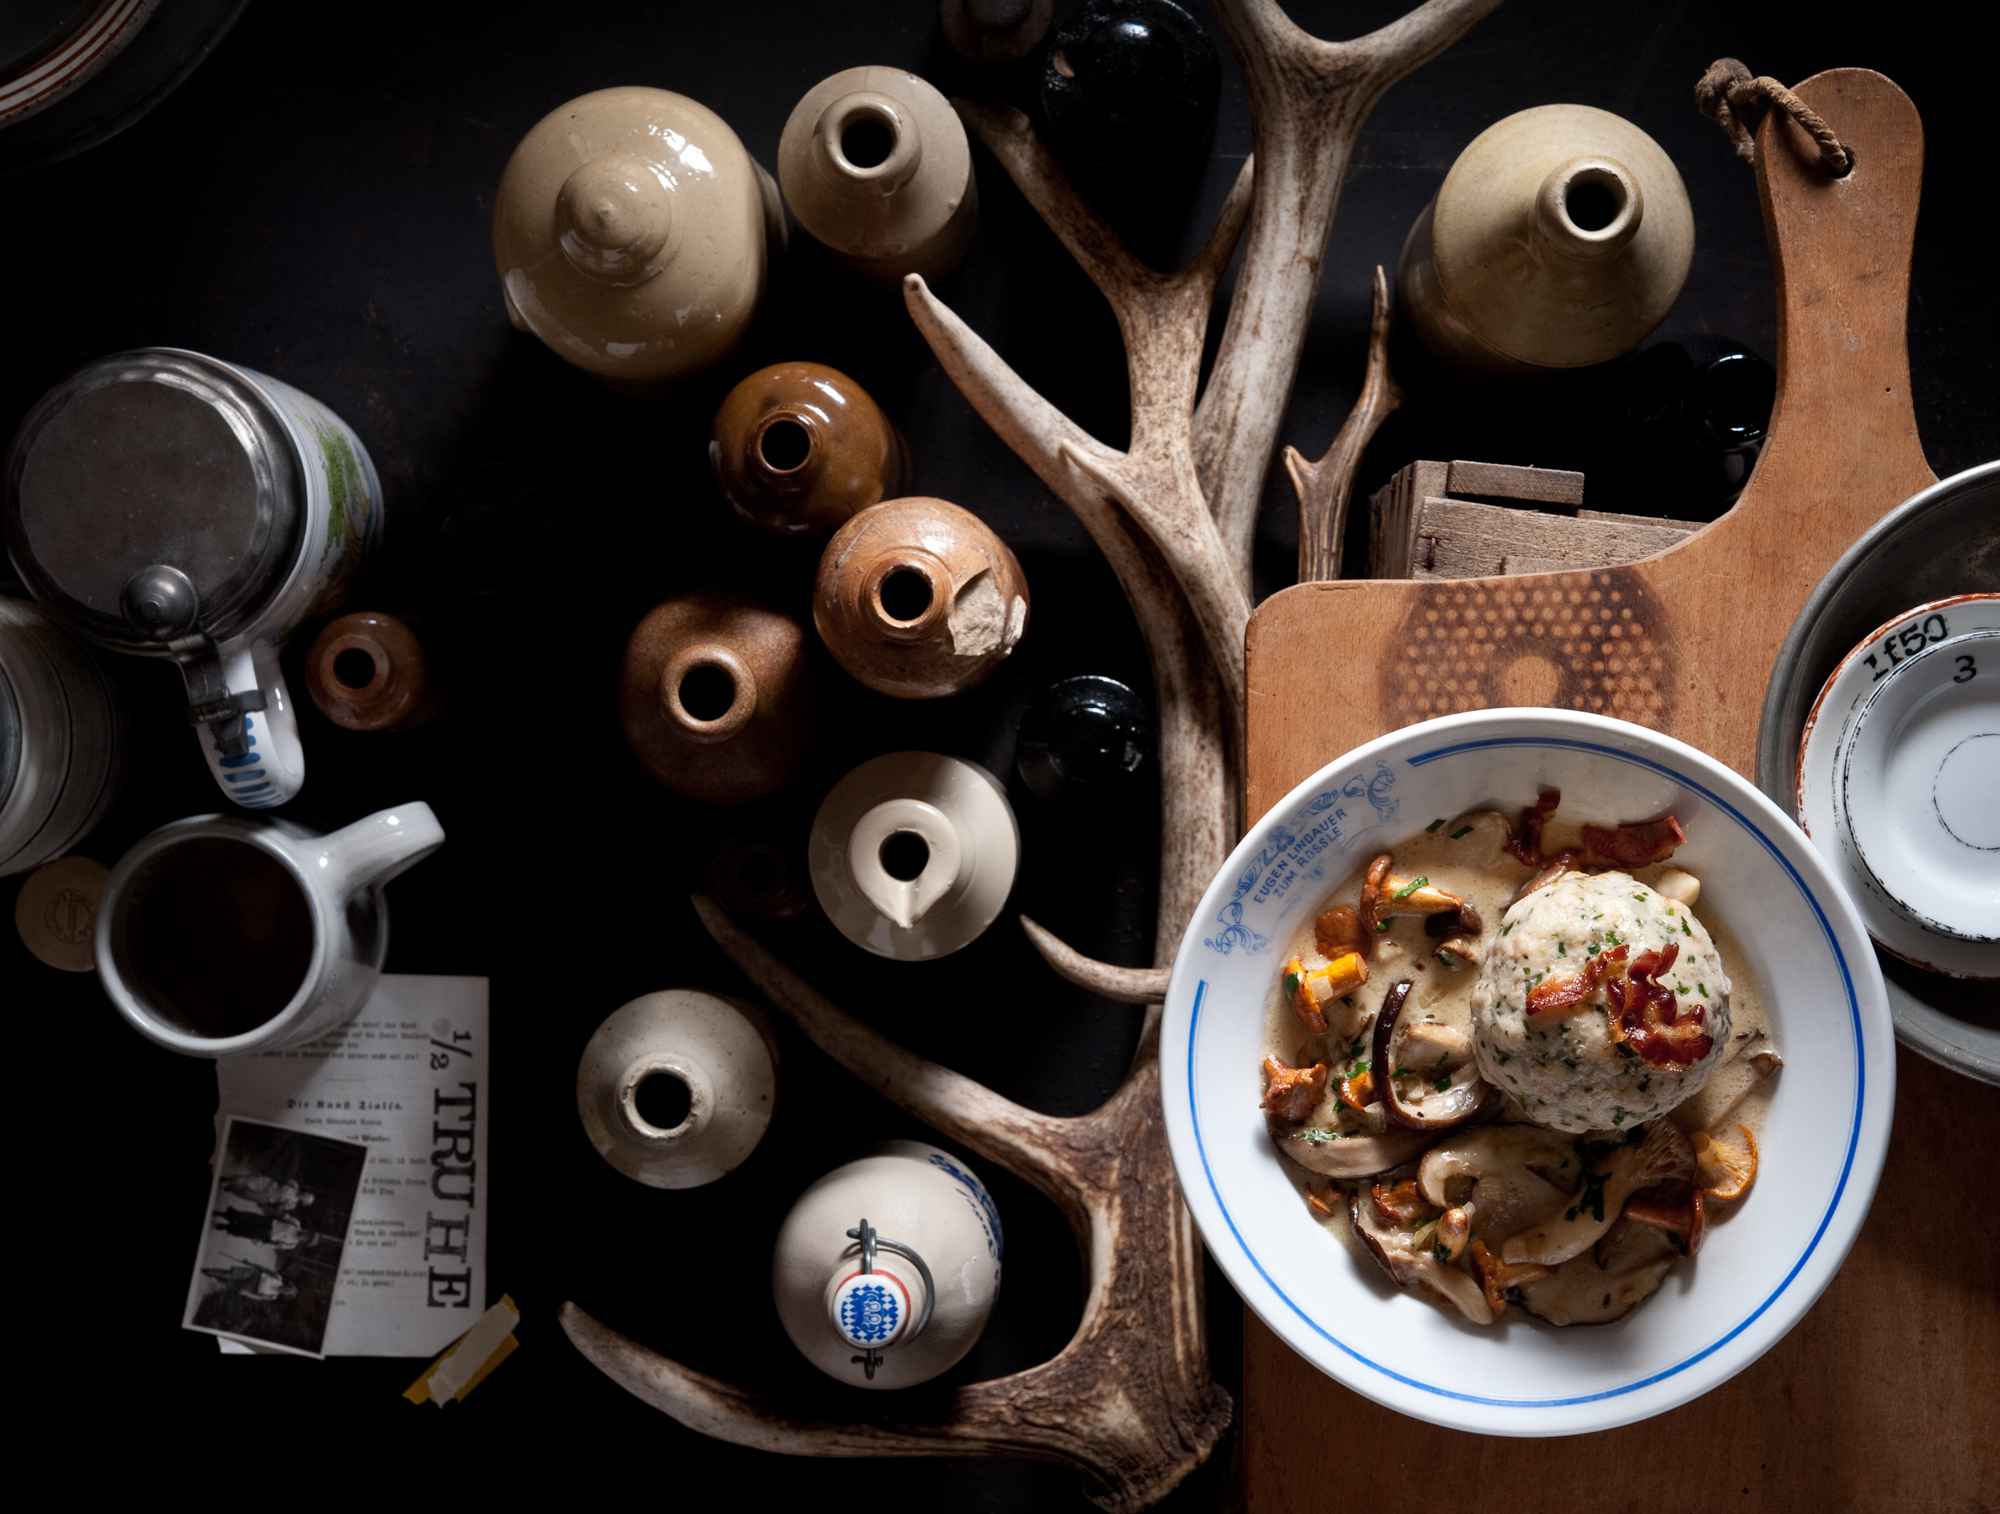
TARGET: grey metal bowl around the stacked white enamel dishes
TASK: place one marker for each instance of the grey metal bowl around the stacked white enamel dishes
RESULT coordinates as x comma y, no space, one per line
1939,545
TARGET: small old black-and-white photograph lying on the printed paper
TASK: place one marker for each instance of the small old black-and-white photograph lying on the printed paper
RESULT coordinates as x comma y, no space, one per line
273,1237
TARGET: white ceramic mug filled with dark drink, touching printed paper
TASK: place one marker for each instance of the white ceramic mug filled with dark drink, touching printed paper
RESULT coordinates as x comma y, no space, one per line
225,935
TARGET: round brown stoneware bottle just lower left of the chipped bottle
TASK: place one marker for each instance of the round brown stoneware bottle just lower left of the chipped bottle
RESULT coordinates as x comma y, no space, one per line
715,697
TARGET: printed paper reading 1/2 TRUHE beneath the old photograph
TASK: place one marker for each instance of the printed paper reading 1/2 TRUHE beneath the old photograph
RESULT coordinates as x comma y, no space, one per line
407,1079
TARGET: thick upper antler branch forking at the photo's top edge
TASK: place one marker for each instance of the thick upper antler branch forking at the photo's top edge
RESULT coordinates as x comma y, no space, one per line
1309,101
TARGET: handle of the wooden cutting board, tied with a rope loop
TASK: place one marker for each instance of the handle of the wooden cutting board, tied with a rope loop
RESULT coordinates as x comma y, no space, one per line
1841,249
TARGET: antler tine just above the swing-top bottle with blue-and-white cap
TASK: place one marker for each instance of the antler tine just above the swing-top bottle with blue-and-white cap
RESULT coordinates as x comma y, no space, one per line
1029,1145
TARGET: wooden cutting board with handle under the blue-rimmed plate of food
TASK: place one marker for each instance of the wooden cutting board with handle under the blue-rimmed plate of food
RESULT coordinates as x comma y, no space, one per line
1887,1395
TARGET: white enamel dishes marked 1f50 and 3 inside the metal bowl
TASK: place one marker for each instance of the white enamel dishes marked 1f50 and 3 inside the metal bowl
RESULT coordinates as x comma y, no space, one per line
1897,781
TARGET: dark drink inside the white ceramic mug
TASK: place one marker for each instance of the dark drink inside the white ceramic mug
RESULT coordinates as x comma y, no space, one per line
215,937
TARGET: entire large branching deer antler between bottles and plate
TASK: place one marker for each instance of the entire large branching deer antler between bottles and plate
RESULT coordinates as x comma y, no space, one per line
1129,1401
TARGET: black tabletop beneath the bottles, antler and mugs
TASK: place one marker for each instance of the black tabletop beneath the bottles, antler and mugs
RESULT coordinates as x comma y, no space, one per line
315,203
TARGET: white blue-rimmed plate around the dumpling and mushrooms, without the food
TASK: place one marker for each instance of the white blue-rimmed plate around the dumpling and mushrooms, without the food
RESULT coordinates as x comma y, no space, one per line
1823,1141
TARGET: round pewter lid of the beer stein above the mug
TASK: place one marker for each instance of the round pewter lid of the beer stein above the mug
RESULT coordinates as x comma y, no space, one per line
151,499
